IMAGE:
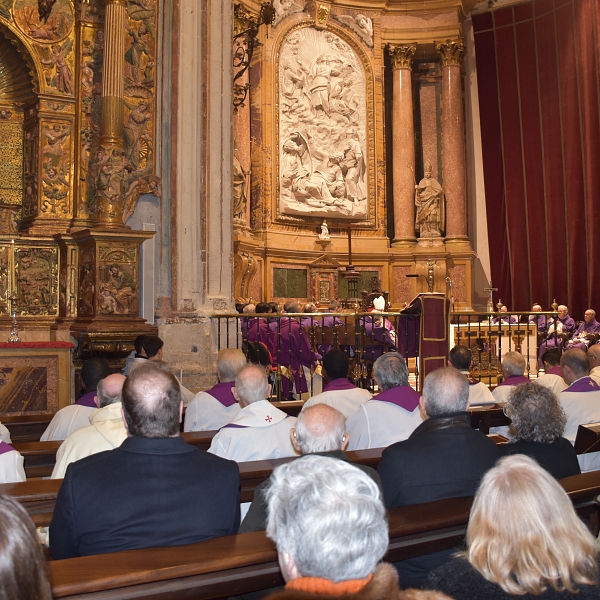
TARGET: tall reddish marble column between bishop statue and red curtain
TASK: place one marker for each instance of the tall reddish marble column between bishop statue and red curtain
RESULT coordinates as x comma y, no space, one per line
453,142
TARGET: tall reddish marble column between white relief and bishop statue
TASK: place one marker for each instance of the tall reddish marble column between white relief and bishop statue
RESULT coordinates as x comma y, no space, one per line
403,146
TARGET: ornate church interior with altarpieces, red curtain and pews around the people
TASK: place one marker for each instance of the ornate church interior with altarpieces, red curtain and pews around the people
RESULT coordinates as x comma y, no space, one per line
166,163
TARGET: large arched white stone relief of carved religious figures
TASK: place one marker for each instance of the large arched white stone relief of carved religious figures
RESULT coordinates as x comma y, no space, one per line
322,127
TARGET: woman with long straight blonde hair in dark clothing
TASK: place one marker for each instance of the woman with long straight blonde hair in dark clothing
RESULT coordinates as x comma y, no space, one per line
524,540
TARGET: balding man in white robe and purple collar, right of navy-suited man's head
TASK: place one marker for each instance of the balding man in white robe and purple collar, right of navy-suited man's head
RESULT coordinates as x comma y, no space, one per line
216,407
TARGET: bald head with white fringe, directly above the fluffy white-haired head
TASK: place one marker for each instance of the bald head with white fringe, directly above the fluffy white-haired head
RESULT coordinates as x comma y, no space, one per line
320,428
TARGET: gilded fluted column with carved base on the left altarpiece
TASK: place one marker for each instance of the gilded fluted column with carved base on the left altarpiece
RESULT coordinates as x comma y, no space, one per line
109,185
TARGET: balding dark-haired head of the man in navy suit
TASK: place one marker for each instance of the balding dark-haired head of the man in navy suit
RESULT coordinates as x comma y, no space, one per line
152,403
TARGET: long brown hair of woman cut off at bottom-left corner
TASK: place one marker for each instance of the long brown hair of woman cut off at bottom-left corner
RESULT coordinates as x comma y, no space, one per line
22,564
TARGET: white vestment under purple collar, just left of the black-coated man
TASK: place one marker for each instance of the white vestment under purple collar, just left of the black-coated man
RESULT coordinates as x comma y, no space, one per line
379,424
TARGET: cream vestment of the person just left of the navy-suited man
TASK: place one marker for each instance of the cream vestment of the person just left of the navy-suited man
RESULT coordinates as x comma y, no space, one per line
106,432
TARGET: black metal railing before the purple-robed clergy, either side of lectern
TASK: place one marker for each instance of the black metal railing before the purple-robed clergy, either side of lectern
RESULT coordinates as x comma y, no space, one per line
293,344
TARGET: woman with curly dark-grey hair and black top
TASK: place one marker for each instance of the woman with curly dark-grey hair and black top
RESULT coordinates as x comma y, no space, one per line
538,422
